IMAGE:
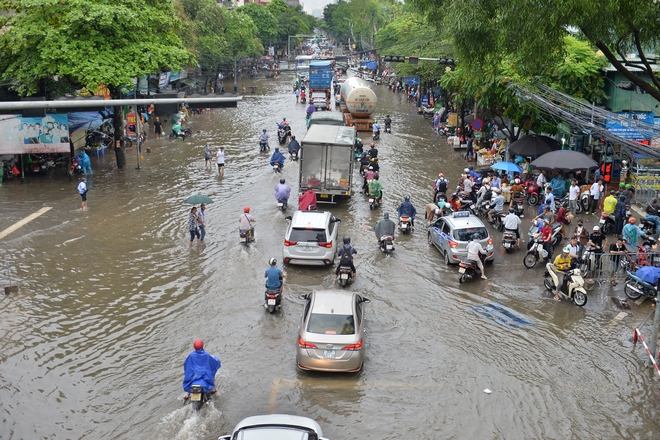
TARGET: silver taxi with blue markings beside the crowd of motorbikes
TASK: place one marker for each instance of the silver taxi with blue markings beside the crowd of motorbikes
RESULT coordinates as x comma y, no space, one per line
451,235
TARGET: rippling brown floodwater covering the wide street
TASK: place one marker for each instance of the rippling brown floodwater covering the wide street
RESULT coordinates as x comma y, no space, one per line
111,299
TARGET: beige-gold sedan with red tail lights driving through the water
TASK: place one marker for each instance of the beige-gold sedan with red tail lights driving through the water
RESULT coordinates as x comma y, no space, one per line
331,333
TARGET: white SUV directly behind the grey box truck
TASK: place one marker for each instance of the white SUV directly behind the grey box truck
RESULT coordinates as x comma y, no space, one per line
311,238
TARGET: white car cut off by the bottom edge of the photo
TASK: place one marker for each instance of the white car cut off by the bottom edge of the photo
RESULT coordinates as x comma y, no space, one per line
276,426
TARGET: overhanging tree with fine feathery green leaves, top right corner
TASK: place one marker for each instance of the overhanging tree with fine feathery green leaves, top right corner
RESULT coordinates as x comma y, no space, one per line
533,34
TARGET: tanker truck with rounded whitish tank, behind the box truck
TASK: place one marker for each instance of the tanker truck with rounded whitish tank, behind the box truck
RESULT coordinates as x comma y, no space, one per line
358,102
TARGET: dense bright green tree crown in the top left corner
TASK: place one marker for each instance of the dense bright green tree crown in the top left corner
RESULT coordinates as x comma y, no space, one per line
87,42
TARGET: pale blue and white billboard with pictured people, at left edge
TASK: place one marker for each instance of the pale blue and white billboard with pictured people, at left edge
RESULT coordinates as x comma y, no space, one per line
37,135
